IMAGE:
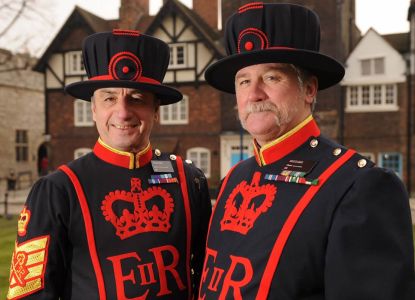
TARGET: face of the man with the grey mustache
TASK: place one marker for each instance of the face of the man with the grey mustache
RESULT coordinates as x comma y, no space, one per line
271,100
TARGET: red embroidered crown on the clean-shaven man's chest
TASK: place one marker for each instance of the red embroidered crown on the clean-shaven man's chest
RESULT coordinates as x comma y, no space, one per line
131,214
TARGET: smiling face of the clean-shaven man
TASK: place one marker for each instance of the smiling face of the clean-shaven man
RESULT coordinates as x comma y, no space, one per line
124,117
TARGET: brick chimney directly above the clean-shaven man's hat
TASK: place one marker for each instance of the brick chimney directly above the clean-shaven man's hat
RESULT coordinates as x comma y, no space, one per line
131,11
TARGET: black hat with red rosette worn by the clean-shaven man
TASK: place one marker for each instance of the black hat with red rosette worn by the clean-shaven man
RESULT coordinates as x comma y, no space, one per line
125,58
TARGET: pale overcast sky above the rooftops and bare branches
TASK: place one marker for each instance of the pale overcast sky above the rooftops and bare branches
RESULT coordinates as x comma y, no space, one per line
44,20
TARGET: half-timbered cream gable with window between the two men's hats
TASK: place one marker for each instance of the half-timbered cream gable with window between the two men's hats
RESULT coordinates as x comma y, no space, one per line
192,42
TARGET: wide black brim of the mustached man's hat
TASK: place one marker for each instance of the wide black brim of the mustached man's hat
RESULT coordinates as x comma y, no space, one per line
221,74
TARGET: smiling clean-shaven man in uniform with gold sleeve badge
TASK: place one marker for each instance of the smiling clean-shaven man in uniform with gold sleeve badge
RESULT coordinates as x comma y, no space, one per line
123,222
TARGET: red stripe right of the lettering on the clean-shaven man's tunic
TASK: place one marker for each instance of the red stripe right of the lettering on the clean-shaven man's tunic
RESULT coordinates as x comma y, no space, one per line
183,186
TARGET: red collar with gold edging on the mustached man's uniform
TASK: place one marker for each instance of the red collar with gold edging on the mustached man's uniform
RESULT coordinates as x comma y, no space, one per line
286,143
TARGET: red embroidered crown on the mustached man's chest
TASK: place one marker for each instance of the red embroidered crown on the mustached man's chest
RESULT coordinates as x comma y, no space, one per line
256,200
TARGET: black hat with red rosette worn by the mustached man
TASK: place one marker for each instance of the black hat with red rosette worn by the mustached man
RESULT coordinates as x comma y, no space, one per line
266,33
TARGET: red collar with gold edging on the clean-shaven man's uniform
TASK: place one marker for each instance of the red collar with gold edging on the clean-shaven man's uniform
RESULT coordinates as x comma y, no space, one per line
121,158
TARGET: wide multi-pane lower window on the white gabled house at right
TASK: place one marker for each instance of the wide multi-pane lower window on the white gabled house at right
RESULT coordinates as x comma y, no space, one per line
374,97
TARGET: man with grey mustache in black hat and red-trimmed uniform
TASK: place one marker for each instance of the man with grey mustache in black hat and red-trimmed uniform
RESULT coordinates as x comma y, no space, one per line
305,218
